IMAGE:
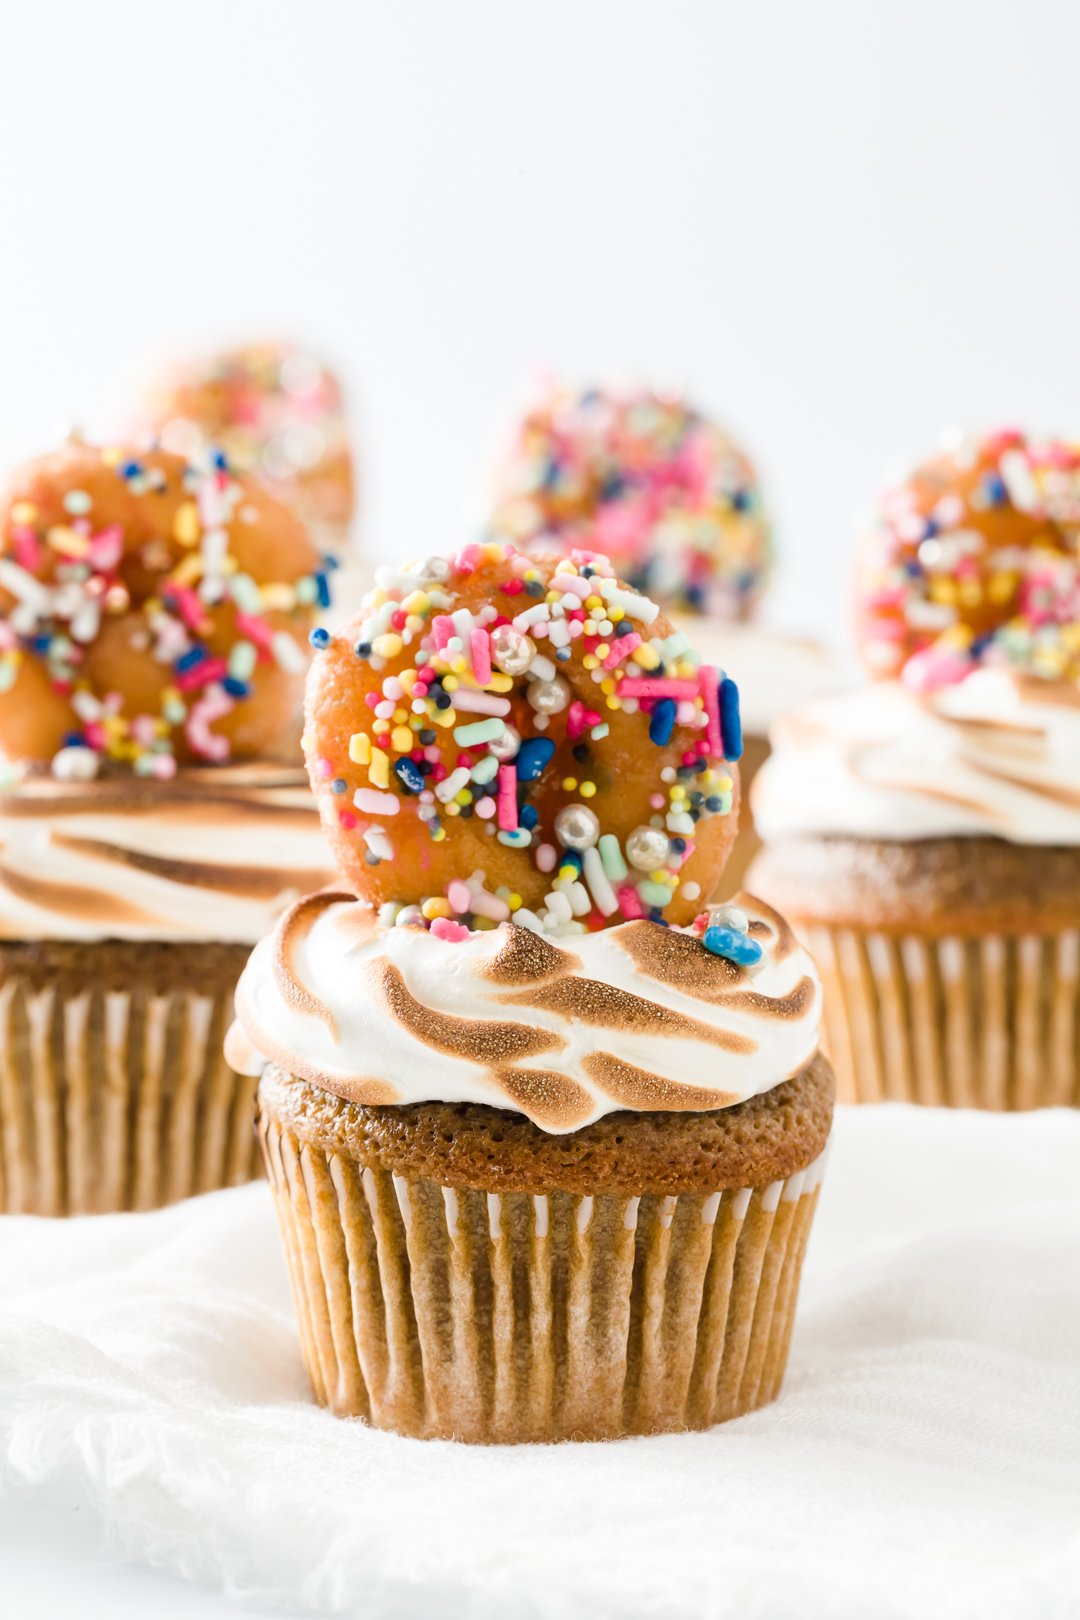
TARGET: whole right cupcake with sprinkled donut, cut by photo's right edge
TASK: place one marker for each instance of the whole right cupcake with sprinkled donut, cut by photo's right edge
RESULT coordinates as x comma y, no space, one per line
924,833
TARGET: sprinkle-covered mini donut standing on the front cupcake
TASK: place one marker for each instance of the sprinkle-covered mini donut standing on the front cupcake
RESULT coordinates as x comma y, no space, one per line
508,735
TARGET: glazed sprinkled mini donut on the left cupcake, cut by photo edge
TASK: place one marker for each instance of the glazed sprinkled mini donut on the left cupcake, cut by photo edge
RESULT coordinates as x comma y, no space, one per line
153,613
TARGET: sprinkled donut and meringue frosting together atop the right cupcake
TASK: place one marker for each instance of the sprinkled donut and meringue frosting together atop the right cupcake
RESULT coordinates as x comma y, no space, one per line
969,610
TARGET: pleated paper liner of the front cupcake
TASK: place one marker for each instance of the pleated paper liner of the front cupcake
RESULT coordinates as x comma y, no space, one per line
503,1318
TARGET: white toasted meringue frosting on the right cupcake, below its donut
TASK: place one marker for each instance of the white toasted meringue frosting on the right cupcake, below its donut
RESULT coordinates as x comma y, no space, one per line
997,756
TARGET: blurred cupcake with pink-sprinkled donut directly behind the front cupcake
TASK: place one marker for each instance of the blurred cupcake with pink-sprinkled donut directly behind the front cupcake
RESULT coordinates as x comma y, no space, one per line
676,503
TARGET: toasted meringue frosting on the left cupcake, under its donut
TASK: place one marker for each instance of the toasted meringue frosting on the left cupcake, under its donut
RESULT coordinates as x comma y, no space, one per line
215,855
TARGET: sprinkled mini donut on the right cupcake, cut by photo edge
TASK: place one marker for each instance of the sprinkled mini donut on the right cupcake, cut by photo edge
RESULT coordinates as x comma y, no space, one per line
977,561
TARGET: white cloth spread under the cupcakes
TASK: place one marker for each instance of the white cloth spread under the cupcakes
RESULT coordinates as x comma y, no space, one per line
924,1457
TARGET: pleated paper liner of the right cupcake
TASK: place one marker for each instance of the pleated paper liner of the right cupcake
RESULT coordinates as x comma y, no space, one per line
966,1023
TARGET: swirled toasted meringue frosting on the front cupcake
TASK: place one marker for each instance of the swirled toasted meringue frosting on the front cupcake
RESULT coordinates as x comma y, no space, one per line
636,1017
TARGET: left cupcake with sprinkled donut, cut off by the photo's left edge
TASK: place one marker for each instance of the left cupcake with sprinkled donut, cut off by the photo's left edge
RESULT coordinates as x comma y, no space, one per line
153,647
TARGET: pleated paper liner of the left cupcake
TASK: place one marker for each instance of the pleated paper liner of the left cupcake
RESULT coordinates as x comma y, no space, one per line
117,1101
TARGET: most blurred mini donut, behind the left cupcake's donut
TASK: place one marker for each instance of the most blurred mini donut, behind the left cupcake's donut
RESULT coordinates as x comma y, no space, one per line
278,414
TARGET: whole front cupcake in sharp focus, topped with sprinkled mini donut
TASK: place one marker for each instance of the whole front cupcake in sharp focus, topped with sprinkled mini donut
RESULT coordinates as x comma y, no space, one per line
545,1136
